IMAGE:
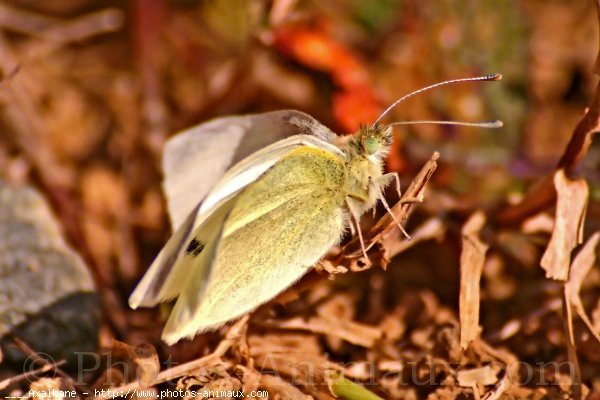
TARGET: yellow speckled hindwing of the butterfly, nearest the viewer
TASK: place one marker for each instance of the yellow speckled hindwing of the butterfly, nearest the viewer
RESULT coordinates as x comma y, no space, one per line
279,227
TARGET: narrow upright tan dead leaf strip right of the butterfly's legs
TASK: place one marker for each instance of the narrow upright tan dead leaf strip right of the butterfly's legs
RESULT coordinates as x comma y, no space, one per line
472,259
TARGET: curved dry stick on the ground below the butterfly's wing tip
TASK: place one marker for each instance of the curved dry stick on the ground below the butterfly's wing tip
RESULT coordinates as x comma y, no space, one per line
232,336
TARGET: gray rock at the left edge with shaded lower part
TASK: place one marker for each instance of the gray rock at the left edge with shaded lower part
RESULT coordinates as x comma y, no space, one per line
47,295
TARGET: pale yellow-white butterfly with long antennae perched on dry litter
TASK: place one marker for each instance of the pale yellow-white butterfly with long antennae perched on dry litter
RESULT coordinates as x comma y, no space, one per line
255,202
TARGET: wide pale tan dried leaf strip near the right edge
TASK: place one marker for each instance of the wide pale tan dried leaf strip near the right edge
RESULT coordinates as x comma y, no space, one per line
571,206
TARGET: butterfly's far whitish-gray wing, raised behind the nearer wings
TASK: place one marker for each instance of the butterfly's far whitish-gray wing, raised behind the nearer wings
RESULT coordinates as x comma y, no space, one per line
196,159
